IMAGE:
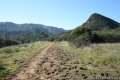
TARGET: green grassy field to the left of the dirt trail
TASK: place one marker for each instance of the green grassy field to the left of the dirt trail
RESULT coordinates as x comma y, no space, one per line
12,58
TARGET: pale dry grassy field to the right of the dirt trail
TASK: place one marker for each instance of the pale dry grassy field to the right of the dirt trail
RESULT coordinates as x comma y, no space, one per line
97,59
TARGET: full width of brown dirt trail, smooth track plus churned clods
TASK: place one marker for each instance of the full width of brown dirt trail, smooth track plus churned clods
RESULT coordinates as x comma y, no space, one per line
53,63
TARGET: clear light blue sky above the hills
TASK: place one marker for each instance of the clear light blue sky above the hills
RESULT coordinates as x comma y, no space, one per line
66,14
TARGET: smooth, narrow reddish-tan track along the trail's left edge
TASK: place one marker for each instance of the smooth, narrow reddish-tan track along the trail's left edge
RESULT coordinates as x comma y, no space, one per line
29,69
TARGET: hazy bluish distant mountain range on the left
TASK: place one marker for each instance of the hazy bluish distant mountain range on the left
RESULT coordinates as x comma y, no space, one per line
23,33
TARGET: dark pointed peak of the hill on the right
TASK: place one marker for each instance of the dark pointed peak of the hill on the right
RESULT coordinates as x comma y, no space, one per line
97,22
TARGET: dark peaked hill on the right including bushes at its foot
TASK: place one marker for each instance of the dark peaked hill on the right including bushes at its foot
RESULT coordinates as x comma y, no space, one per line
97,29
